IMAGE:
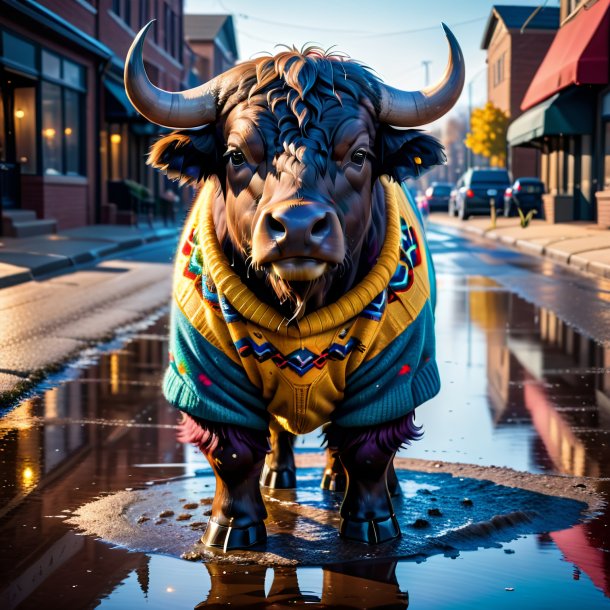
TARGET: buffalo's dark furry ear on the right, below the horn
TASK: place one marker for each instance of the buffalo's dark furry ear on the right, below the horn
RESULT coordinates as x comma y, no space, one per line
407,153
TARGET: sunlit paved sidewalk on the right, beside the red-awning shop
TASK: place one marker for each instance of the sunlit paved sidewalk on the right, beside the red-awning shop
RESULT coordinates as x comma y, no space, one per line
580,245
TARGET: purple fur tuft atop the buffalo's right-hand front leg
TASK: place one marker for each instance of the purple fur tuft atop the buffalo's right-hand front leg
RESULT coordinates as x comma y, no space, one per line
388,437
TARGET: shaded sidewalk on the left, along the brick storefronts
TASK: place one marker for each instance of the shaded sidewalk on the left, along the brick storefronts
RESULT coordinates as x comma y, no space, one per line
24,259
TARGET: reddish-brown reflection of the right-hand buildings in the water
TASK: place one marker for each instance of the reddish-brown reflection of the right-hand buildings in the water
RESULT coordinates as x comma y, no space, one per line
540,369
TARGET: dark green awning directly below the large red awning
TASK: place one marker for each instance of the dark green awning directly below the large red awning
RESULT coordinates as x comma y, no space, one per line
569,113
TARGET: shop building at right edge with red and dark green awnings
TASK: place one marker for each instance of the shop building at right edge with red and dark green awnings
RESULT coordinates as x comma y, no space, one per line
567,115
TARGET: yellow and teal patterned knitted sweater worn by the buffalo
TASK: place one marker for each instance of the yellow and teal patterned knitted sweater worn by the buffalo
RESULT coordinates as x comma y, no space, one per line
366,359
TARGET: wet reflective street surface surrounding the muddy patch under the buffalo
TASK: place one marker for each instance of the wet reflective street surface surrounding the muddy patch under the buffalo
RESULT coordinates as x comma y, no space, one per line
524,351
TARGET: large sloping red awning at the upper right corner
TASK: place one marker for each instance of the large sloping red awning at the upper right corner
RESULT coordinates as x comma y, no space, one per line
577,56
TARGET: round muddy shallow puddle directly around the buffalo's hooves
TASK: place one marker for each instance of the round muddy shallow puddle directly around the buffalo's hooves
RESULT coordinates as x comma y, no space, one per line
461,514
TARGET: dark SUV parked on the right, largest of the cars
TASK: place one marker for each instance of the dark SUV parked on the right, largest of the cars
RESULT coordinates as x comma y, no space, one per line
478,188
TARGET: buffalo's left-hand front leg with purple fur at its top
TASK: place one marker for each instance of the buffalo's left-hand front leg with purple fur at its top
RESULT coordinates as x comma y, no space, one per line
236,456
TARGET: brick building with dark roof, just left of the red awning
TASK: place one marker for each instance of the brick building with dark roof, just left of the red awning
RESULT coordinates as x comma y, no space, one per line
516,39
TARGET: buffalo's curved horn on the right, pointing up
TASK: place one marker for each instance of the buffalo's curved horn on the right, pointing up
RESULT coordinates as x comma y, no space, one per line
410,108
